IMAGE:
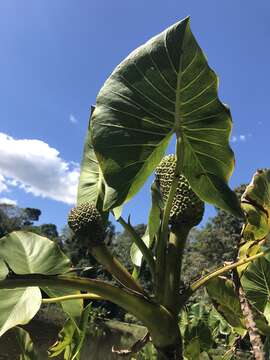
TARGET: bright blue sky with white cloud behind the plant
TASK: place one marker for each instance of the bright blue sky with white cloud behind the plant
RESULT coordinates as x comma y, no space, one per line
55,56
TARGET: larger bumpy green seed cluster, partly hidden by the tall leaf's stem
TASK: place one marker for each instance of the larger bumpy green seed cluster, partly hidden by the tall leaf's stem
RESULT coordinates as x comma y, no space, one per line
187,208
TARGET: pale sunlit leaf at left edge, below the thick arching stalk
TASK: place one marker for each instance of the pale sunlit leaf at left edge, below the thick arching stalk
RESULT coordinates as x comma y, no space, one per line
18,306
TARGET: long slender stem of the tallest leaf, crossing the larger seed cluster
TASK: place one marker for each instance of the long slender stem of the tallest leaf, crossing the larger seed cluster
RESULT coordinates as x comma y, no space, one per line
164,232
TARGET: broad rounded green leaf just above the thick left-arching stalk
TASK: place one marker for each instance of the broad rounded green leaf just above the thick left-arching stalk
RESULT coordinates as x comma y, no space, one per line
28,253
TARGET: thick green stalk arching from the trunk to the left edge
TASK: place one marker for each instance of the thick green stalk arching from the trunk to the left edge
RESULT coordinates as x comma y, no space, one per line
163,329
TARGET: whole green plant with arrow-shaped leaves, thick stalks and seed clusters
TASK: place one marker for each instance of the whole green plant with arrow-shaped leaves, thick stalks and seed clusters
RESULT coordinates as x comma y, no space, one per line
163,89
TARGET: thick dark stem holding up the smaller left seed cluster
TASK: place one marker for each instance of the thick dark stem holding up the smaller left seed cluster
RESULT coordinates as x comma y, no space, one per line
103,255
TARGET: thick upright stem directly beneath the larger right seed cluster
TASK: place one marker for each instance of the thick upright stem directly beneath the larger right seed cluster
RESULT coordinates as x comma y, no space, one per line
176,246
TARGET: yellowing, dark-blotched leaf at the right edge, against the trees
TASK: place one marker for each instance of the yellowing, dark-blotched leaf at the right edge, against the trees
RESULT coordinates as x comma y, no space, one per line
256,203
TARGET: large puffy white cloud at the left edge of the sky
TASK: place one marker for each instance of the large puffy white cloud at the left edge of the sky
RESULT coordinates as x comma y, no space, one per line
37,168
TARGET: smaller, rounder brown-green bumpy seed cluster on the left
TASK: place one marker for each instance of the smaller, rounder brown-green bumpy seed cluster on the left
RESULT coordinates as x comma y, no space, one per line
87,224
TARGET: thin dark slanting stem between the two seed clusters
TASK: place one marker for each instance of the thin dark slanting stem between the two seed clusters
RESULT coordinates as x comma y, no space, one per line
147,254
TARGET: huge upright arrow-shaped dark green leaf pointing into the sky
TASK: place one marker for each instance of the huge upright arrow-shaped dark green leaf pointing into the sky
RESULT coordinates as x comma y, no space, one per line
164,87
